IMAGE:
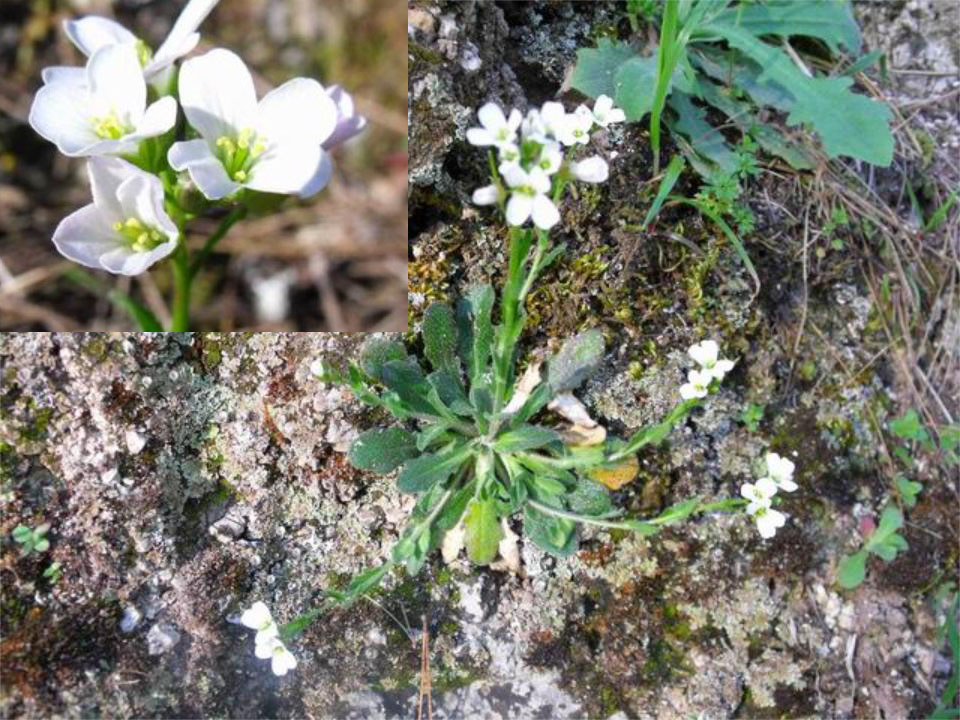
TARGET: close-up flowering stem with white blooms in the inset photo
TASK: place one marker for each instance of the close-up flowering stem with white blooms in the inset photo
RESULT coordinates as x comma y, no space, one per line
151,172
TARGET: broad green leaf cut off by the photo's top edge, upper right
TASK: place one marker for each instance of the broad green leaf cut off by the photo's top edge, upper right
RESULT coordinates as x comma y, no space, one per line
828,20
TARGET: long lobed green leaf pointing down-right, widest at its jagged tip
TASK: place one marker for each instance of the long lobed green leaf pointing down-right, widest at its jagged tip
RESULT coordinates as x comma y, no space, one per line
848,124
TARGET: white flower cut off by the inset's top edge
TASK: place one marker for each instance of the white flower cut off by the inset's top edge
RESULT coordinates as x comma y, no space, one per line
92,33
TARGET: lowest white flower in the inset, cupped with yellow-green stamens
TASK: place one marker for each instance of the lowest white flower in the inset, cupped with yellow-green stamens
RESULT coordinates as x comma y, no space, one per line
126,229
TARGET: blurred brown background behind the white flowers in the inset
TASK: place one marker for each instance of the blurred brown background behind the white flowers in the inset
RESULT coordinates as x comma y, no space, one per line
337,262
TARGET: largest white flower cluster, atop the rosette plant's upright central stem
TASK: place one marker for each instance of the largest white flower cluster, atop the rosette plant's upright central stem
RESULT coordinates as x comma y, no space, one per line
534,156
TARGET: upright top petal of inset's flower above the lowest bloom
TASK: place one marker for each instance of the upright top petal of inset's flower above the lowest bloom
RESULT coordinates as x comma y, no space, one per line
116,83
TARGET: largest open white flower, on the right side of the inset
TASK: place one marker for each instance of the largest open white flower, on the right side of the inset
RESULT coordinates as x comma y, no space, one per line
271,146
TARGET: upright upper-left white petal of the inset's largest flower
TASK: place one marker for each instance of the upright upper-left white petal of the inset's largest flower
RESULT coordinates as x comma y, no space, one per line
217,95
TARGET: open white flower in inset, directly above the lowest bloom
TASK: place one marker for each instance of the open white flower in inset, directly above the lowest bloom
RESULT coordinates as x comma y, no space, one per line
103,111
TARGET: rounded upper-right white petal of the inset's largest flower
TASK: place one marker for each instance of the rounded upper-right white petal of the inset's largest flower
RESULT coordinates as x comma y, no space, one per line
299,111
